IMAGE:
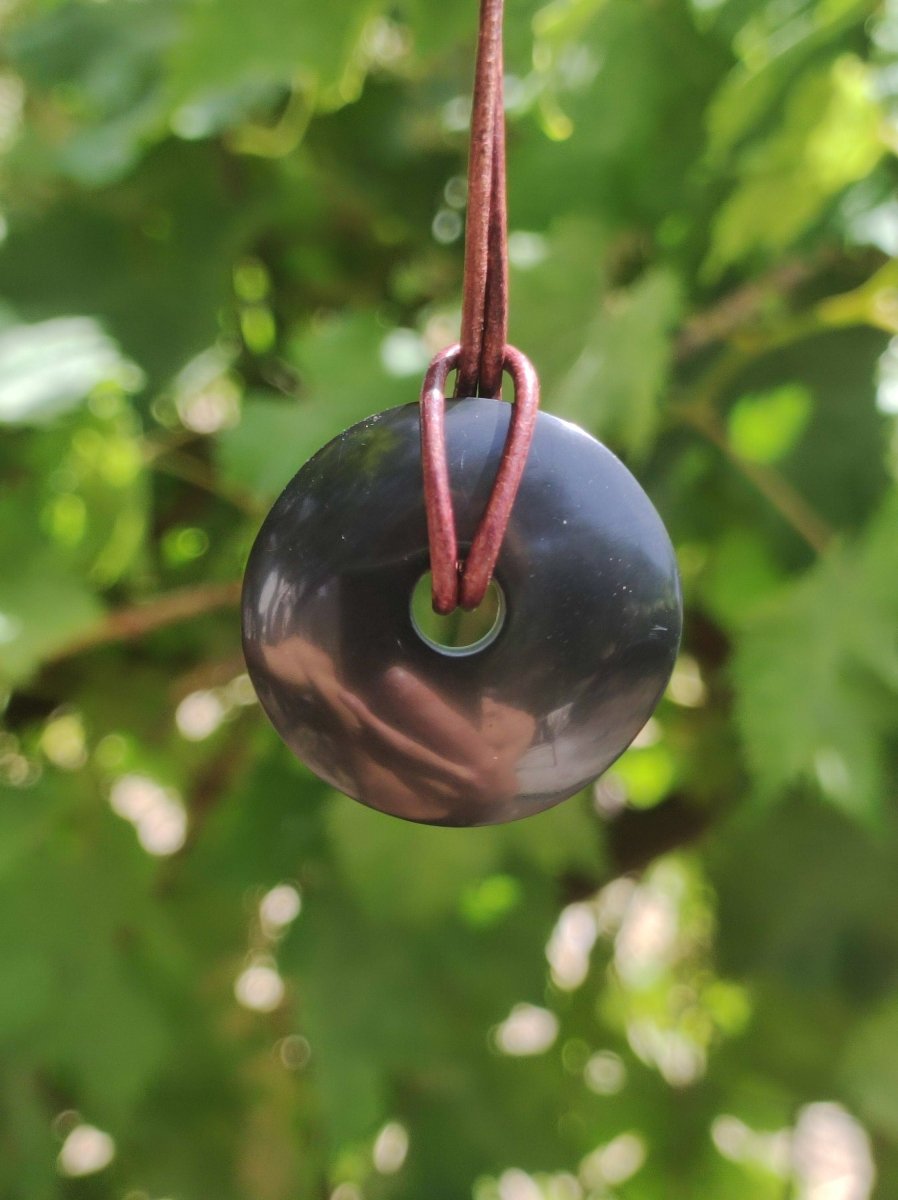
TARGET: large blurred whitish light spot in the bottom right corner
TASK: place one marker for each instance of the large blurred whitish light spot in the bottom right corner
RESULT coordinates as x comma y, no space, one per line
831,1155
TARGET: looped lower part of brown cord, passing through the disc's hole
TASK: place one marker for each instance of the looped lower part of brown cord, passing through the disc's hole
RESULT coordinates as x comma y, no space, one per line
452,587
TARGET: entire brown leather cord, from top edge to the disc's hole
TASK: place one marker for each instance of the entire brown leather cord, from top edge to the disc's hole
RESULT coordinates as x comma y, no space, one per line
482,356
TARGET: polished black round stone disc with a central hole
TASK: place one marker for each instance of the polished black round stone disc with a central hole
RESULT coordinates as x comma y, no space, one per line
589,641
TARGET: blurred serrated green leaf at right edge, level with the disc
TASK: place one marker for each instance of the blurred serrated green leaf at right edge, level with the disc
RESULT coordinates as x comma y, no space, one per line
800,669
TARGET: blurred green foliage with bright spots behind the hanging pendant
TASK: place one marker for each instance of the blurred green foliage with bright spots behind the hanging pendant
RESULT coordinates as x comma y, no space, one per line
231,229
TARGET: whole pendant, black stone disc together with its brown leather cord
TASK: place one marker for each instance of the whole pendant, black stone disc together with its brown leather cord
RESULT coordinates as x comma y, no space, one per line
572,644
